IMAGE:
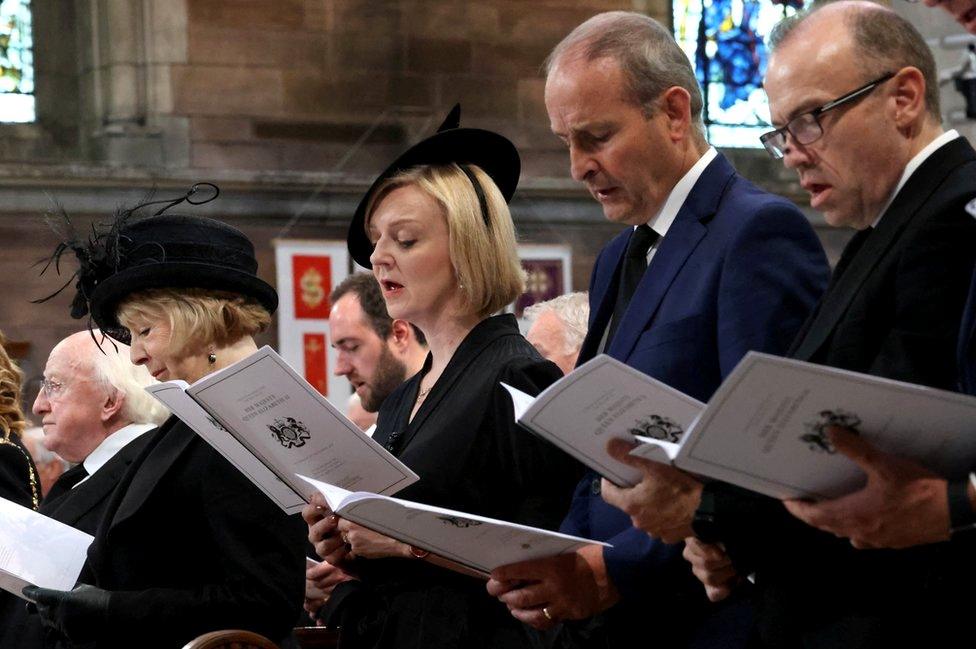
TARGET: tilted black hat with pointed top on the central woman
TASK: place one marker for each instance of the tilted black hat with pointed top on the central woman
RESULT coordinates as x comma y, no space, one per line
493,153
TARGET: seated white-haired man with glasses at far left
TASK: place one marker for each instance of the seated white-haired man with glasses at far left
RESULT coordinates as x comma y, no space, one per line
95,412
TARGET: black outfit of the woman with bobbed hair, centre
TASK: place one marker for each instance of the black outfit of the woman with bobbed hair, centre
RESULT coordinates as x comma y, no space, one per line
470,456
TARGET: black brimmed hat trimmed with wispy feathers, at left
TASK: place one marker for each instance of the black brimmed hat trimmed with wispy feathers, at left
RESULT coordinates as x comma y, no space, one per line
136,253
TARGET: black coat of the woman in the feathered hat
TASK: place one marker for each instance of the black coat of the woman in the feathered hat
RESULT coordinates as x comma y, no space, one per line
188,545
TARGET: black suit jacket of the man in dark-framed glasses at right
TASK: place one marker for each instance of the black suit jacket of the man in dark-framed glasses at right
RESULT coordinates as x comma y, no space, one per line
893,309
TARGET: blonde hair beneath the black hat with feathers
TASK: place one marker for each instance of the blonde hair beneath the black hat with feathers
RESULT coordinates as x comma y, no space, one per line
198,318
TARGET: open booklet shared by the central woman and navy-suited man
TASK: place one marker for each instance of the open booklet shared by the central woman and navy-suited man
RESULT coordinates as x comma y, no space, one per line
476,542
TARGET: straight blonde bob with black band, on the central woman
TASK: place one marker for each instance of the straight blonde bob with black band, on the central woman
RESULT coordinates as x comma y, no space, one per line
485,258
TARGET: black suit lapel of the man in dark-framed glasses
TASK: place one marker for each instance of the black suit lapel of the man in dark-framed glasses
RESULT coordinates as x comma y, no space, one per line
909,202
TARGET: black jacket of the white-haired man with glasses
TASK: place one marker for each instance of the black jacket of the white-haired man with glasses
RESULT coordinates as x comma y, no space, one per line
81,508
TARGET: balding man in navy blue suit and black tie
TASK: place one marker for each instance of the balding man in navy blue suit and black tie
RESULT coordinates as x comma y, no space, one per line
707,268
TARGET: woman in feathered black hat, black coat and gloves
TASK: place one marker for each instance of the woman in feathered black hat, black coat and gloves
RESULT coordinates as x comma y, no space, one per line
187,545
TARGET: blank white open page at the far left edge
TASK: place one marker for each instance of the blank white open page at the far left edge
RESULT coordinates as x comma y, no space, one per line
37,550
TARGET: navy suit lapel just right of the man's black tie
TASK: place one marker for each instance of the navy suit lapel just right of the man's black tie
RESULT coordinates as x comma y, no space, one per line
673,251
